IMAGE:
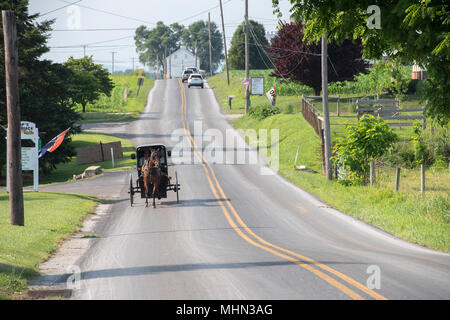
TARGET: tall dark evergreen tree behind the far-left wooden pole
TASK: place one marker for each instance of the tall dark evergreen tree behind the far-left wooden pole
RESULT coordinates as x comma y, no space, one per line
44,87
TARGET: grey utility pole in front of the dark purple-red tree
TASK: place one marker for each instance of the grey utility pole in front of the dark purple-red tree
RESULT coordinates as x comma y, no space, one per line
326,114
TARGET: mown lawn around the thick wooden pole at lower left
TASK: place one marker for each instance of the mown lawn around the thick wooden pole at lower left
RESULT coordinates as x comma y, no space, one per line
49,219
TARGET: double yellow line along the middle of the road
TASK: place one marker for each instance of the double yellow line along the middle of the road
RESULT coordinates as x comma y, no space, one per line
249,236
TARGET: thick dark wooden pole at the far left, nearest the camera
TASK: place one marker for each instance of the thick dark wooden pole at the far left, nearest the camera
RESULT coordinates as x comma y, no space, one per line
13,108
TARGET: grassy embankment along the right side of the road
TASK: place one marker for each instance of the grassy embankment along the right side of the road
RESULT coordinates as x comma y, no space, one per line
407,214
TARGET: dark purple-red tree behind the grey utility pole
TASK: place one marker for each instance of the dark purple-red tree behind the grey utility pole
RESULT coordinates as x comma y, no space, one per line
301,62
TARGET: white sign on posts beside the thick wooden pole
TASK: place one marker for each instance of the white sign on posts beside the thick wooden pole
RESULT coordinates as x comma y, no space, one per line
30,155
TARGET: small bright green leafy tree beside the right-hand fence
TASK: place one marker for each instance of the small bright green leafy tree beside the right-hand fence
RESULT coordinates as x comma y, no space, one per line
364,142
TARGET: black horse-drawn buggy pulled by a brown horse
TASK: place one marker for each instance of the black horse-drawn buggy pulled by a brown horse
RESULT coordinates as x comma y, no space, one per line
153,180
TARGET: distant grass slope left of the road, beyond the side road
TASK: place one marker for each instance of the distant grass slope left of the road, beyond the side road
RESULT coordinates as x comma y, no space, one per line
114,109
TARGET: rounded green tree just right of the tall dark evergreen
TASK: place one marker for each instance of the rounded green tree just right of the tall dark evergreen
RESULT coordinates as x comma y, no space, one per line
89,80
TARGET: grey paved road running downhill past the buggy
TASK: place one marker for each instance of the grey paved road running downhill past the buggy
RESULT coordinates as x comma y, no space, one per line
239,234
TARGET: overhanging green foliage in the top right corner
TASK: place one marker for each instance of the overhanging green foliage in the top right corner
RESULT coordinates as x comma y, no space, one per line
410,30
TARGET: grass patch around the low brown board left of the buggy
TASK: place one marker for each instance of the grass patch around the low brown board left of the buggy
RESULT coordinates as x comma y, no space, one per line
65,171
